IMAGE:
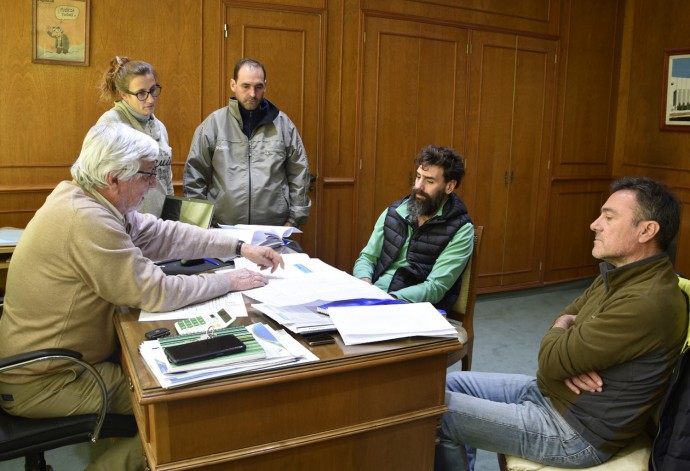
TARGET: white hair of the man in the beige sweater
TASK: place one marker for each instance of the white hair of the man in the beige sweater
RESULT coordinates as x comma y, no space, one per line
112,149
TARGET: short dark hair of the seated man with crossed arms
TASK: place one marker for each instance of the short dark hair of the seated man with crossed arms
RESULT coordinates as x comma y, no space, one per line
656,203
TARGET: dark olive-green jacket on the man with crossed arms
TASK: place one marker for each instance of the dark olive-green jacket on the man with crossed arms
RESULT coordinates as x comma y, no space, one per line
630,327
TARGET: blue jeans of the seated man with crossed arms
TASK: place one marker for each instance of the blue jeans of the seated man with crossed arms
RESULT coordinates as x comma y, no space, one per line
506,413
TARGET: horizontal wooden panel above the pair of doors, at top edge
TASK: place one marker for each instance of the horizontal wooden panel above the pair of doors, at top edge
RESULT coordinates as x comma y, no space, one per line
529,16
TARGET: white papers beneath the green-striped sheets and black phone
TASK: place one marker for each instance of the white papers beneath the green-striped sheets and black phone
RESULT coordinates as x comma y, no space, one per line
280,348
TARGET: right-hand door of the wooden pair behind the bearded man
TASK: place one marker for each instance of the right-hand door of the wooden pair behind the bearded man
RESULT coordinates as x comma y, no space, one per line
510,113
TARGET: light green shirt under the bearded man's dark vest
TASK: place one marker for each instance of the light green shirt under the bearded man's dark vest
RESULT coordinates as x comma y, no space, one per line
448,267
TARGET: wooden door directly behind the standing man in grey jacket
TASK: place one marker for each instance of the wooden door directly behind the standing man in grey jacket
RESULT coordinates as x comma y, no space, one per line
289,44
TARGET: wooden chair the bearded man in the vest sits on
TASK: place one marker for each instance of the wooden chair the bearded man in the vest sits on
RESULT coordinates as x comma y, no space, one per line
463,309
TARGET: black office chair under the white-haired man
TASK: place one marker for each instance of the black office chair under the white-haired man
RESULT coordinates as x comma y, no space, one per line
30,438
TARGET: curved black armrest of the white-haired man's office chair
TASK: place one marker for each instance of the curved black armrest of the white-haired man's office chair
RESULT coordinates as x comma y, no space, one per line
24,359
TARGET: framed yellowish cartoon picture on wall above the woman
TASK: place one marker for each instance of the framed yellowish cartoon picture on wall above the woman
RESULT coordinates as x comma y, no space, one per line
60,33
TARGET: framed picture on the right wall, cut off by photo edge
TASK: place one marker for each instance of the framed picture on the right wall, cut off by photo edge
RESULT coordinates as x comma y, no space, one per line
675,99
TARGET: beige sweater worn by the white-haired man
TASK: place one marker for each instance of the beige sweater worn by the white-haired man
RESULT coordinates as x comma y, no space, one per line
79,258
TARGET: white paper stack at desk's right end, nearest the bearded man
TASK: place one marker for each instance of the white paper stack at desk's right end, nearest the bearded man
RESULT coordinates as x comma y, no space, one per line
363,324
